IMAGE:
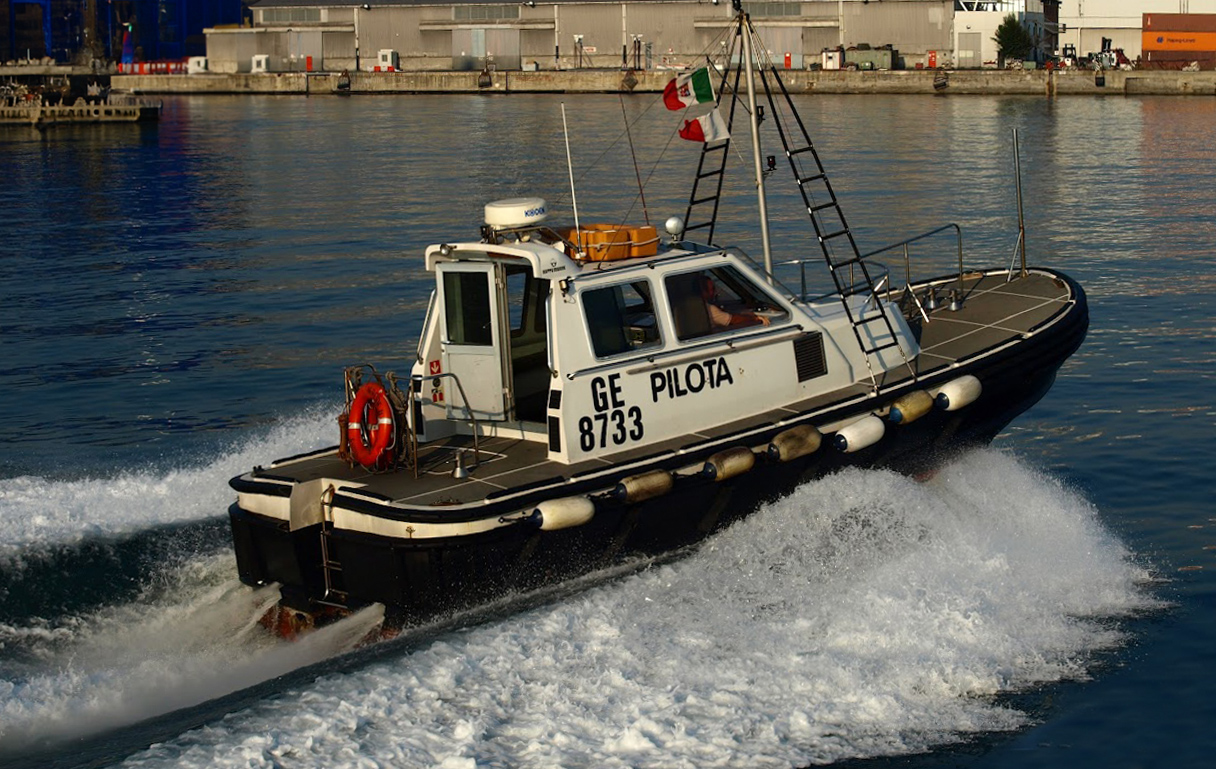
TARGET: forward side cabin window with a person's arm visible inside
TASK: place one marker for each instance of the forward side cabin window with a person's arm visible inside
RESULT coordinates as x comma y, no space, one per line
716,301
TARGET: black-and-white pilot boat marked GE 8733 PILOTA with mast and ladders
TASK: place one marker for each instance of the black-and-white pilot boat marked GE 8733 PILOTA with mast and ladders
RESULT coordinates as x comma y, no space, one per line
589,397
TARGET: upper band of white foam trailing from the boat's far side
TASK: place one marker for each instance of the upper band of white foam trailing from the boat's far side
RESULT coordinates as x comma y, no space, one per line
38,513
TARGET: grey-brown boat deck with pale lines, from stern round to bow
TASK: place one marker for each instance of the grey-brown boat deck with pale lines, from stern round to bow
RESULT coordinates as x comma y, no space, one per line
995,311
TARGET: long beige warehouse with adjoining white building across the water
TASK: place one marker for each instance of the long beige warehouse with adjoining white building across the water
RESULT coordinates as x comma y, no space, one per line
565,35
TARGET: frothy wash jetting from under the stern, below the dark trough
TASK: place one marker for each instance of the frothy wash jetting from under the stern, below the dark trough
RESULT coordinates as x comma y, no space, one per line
190,639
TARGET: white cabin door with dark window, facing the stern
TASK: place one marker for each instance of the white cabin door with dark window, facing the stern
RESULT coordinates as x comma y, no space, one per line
472,300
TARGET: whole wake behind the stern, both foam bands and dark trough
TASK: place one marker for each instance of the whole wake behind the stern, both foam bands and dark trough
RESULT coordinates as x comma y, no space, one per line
120,599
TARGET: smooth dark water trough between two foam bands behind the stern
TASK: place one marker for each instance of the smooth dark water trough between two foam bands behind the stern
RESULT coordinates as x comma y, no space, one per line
69,579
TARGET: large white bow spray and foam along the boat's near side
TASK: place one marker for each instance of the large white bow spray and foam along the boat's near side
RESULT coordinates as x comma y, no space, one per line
866,615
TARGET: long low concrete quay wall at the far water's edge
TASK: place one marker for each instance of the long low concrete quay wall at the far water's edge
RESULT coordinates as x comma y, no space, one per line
962,82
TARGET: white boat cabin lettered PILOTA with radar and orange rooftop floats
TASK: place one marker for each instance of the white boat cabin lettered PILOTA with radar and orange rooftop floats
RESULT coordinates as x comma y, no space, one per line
623,345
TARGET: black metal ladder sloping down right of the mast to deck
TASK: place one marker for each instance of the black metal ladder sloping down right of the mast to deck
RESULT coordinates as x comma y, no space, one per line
851,273
